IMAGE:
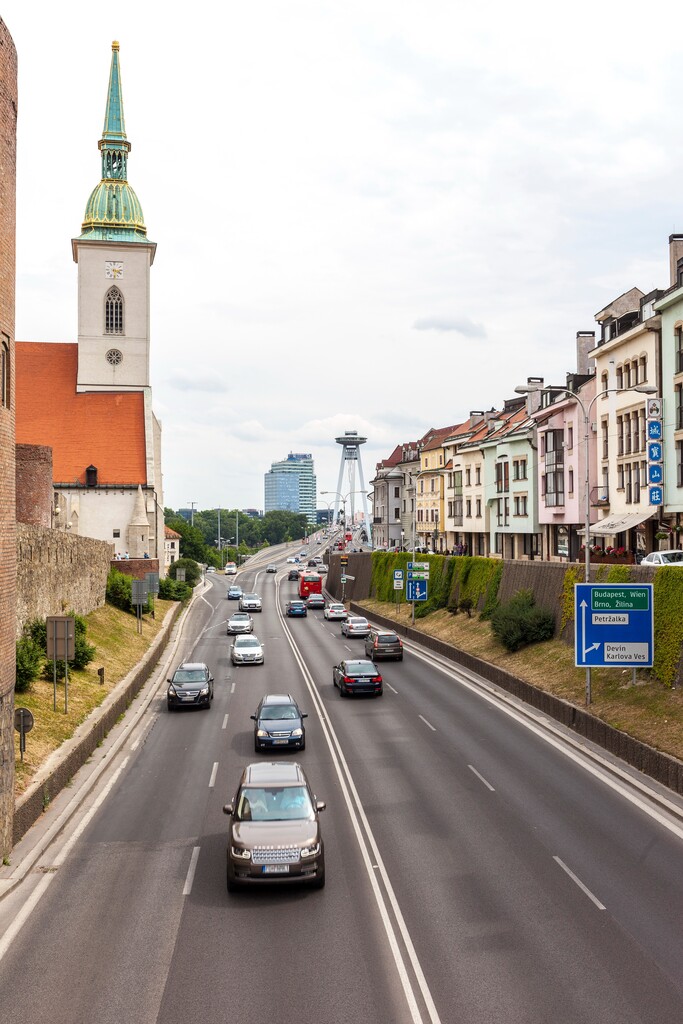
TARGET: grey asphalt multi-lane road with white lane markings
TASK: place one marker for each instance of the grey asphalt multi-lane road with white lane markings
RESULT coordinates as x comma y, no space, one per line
479,870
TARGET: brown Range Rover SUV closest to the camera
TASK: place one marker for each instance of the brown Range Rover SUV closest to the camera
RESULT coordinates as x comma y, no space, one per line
275,832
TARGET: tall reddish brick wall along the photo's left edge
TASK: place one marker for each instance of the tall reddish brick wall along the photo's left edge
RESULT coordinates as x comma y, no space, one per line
8,517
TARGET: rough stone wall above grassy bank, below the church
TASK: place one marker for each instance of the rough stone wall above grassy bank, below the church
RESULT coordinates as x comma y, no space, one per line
58,573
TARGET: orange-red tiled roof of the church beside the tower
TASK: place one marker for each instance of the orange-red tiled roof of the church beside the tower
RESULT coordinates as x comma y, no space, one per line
103,430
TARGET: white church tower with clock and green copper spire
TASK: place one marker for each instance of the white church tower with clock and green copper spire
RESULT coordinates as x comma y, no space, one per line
114,258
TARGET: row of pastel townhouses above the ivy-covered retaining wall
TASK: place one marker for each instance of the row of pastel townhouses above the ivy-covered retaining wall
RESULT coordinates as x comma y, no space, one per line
607,448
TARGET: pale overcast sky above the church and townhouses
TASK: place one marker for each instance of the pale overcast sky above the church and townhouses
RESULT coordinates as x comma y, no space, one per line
370,215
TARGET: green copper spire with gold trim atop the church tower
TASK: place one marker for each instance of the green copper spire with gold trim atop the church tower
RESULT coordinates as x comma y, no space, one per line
114,211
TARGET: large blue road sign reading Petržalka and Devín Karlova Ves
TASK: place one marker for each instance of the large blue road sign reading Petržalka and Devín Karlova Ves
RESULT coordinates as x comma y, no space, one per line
614,626
